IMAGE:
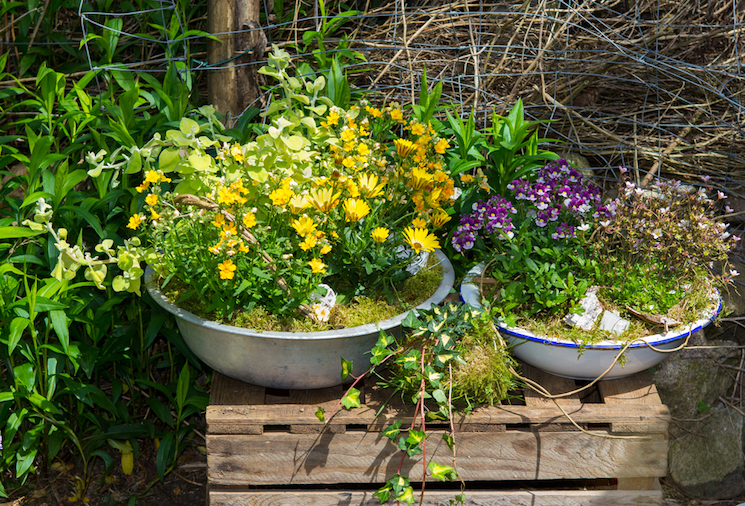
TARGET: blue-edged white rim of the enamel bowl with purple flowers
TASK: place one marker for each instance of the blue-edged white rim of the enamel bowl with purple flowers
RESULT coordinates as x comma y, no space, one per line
471,296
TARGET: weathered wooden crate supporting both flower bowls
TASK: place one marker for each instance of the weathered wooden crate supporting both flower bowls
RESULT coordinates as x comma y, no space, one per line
268,448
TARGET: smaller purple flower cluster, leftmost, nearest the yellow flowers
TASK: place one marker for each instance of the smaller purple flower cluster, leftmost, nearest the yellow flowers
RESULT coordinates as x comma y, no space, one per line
492,216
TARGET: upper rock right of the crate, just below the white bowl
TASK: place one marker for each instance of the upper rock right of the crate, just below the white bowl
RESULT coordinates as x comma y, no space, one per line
694,375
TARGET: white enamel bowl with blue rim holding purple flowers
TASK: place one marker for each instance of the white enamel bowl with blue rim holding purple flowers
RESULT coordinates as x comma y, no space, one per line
566,358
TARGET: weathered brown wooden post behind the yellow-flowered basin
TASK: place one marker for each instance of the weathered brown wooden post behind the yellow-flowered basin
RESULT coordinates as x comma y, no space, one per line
233,83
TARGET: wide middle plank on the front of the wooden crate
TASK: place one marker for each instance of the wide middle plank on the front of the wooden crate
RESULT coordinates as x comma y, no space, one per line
359,457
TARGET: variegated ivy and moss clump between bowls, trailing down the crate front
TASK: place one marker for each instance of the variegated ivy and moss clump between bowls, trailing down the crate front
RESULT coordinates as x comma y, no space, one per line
452,358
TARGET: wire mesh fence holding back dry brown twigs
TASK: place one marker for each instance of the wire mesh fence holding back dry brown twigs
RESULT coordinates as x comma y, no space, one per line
651,84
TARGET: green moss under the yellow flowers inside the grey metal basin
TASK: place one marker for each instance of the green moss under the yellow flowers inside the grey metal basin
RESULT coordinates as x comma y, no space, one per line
360,310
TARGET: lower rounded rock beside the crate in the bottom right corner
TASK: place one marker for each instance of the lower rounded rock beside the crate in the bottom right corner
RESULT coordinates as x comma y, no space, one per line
705,460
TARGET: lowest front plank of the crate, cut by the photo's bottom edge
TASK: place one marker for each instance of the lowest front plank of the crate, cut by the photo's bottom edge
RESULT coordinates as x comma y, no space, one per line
440,498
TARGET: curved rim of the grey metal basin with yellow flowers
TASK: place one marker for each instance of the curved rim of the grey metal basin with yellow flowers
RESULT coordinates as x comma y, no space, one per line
448,279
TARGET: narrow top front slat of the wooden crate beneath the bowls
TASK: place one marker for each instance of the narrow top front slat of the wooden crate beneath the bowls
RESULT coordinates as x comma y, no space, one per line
229,419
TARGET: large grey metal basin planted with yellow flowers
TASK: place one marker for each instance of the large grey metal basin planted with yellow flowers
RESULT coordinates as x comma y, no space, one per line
286,360
